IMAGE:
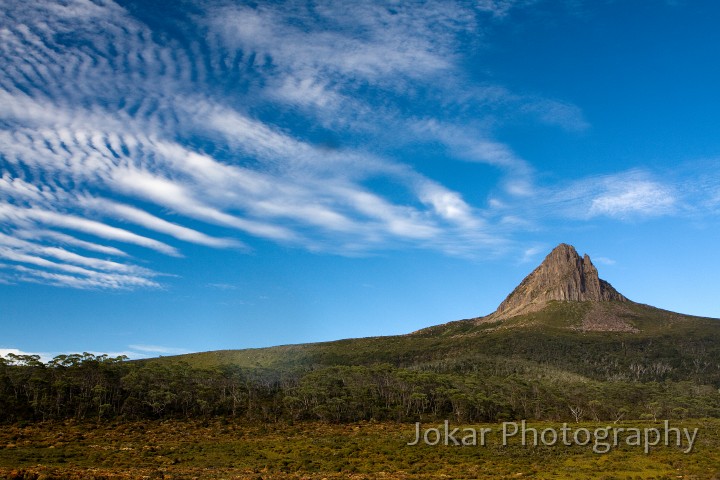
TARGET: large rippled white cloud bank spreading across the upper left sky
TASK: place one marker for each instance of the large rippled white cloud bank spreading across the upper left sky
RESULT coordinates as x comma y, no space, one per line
119,138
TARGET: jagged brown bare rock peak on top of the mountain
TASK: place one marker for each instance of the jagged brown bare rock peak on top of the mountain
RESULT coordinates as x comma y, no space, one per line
563,275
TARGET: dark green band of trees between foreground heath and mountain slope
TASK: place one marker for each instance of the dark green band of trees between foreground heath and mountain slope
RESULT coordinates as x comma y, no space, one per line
98,387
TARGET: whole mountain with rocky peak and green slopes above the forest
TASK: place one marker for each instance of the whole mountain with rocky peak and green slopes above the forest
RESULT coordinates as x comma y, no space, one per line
561,318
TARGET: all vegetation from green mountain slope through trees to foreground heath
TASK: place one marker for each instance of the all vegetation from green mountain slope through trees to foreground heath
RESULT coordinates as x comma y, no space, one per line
346,409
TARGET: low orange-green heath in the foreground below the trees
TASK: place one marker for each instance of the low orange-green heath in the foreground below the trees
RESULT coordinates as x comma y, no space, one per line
239,450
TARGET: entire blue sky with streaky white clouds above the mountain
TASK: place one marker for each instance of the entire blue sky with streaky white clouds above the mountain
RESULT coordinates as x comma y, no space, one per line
218,175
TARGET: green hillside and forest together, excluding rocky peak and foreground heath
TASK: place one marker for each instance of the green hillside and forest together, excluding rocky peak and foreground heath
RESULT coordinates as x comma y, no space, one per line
465,371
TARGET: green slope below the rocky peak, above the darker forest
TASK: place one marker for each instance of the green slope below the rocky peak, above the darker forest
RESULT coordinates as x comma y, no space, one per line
666,346
